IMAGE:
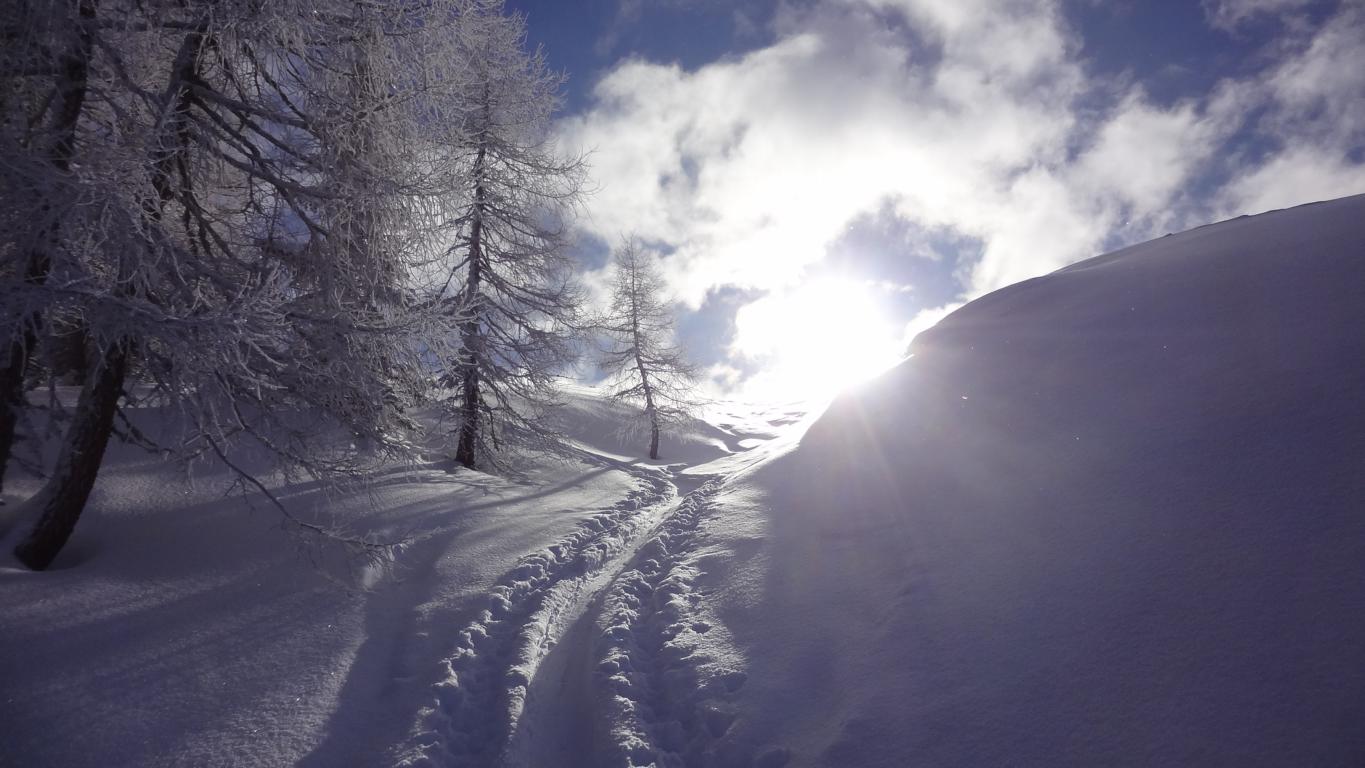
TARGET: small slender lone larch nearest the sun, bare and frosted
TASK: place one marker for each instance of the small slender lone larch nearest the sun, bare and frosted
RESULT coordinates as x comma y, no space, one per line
644,365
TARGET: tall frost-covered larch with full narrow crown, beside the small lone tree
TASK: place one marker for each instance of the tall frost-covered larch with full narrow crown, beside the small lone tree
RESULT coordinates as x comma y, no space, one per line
517,291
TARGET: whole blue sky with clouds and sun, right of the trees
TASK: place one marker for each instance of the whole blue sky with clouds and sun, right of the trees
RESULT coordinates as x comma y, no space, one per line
887,160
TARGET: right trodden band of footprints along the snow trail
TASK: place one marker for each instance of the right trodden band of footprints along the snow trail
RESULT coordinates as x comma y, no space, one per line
664,695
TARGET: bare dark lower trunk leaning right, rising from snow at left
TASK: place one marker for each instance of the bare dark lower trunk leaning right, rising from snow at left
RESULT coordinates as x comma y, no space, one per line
66,493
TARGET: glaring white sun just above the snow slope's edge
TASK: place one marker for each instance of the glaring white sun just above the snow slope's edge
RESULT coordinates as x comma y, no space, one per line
818,338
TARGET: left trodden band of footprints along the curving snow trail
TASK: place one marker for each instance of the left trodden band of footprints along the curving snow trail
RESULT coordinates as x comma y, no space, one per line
478,705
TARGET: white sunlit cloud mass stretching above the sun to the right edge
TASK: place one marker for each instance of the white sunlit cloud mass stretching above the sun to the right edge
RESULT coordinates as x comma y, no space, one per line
970,117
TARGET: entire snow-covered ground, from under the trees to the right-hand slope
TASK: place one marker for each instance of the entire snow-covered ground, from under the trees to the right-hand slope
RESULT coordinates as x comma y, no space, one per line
1110,516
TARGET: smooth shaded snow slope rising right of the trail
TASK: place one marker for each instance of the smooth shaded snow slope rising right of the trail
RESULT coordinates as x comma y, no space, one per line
1112,516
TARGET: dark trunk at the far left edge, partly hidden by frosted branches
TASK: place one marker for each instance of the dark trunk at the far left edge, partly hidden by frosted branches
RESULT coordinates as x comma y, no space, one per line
72,92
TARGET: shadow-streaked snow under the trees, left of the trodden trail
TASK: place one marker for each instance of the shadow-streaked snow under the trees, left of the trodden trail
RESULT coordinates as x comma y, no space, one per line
184,628
